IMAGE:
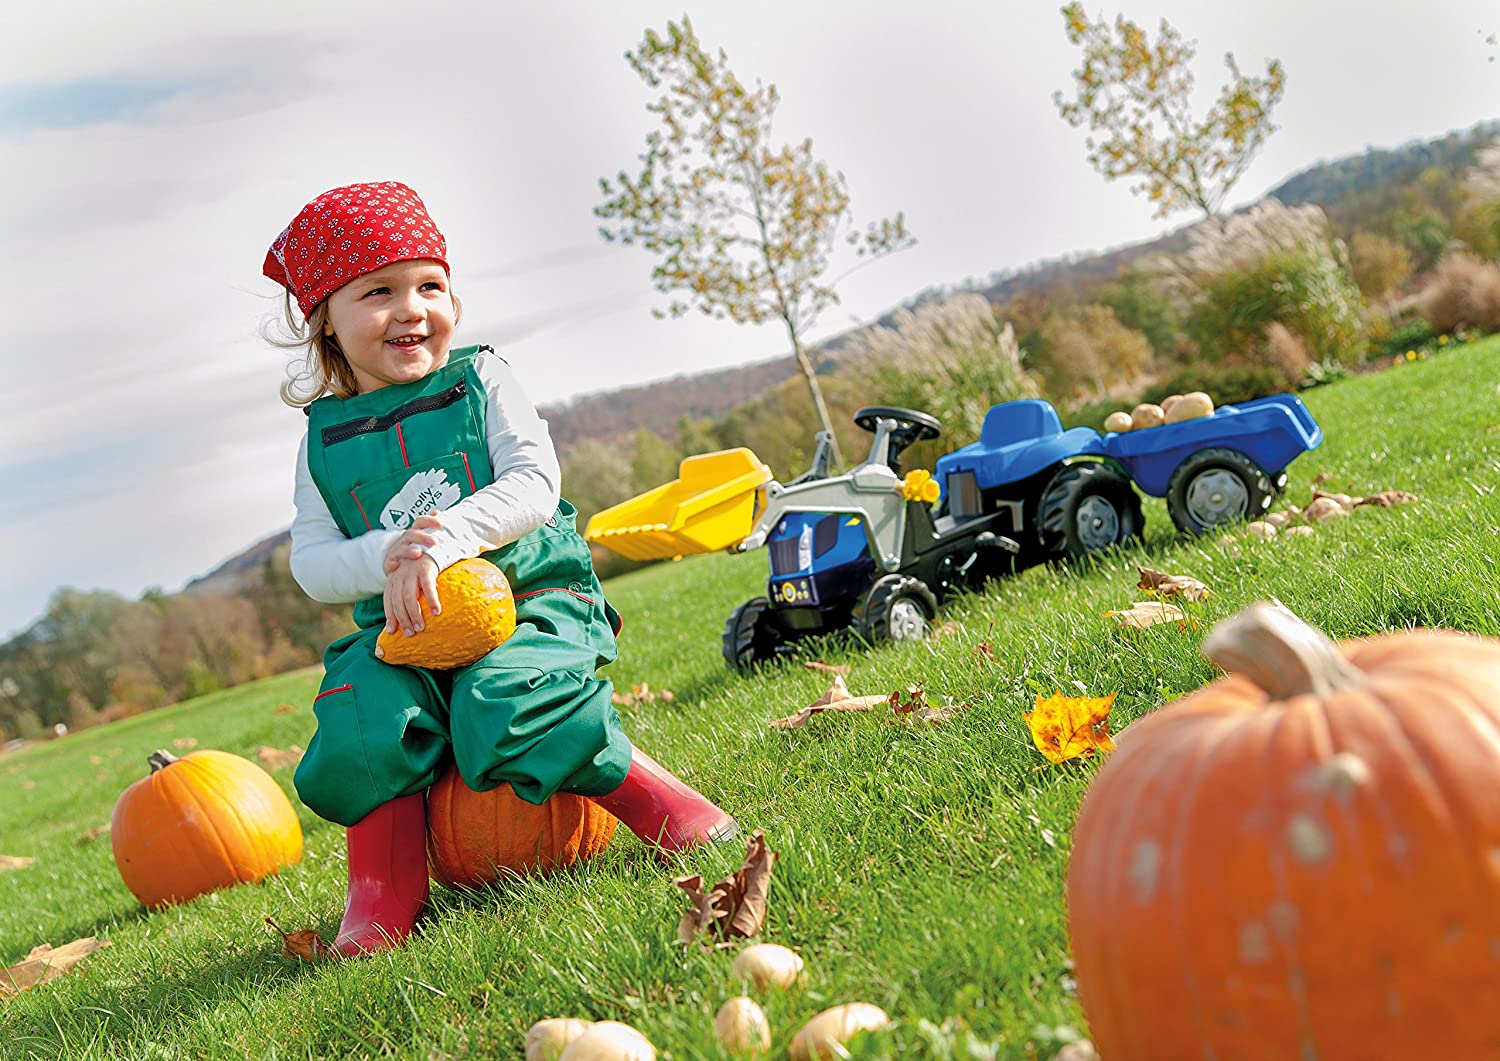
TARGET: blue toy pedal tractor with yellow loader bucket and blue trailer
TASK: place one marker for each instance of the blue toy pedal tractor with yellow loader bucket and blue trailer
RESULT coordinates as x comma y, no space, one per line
877,553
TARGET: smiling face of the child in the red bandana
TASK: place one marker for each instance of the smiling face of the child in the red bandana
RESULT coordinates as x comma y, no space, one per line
394,325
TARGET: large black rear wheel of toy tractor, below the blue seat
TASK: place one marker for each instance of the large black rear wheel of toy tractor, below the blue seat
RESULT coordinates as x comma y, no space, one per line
1088,508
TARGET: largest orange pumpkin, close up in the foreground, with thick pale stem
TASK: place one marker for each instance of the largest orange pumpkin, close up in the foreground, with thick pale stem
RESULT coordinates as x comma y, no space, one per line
1301,859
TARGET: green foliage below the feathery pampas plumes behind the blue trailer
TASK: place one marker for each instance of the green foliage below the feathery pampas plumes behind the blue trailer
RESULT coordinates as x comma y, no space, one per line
1310,293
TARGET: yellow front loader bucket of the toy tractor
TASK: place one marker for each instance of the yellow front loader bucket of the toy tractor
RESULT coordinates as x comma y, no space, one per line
710,506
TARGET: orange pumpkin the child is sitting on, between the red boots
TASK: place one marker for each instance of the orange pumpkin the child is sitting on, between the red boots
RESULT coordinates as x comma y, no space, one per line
478,838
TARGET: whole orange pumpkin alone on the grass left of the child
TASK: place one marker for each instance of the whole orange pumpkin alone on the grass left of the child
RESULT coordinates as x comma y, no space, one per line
202,823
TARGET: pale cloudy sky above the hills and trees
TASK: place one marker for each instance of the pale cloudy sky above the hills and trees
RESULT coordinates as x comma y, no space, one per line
152,152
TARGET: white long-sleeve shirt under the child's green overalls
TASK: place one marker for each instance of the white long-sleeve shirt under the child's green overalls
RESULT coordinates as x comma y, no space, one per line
335,570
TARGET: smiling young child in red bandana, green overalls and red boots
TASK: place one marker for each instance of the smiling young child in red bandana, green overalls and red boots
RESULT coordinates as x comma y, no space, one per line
419,455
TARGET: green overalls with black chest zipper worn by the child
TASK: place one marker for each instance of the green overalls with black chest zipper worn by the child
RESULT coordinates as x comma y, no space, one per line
532,712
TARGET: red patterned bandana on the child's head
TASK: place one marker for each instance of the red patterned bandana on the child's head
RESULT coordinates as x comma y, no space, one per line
350,232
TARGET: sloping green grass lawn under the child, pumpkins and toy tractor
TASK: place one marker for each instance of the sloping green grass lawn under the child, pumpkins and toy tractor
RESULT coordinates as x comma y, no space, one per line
922,870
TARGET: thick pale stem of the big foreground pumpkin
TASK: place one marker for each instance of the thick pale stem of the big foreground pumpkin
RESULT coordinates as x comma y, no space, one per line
1279,652
